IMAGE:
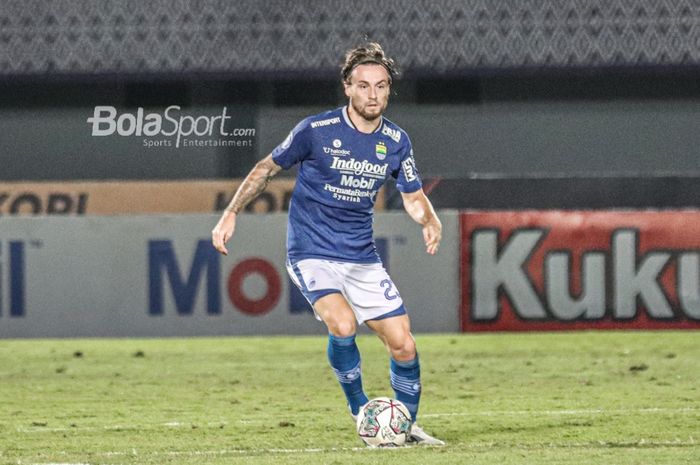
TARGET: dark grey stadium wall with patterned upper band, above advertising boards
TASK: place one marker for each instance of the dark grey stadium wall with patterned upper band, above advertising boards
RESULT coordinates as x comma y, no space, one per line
508,104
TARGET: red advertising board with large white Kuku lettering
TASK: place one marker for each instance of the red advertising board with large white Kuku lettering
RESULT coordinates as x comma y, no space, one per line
565,270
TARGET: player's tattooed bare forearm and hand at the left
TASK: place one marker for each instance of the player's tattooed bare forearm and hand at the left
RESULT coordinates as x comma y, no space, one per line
253,185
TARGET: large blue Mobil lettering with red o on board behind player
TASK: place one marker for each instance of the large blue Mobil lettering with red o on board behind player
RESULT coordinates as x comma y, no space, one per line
165,270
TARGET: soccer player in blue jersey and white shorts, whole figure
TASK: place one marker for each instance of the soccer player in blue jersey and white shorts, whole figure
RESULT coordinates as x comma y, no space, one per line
344,156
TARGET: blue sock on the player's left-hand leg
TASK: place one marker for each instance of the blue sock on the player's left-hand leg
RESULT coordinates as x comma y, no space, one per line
345,361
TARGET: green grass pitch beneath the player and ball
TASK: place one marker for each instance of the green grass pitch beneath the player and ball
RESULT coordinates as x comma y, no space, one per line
562,398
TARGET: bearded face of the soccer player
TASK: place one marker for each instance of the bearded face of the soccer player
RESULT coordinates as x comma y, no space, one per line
368,90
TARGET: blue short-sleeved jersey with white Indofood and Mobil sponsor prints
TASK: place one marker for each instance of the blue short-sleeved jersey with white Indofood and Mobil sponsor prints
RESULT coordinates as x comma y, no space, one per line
340,171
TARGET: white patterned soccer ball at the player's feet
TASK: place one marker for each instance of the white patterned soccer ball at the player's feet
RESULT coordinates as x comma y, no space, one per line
384,422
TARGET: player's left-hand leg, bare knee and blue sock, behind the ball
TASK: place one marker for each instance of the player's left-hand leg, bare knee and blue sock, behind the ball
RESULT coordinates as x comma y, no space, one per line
343,353
